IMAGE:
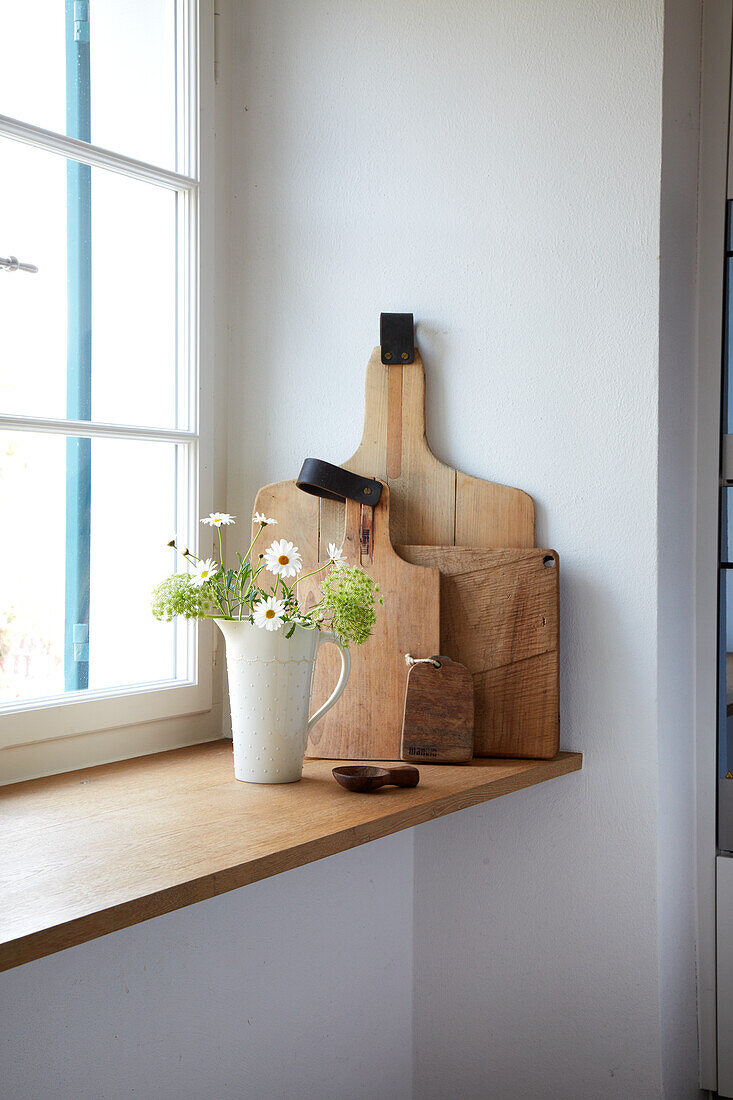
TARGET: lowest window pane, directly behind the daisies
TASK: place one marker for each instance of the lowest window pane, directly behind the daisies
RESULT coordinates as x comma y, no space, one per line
133,493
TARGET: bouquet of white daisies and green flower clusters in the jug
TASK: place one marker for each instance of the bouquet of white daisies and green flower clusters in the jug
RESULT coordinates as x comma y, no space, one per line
209,590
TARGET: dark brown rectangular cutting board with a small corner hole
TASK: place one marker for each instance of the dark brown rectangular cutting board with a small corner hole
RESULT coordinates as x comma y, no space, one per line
500,618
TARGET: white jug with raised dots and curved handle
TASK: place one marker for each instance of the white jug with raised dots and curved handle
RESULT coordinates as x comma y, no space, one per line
270,681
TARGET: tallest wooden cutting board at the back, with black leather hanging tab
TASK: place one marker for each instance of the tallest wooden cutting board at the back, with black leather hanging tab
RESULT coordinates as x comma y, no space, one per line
431,502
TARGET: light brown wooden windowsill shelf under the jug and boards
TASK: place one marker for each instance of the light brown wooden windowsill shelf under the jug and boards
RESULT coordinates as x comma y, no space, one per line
91,852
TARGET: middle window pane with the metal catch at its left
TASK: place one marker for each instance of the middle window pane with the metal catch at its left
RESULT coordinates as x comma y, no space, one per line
104,314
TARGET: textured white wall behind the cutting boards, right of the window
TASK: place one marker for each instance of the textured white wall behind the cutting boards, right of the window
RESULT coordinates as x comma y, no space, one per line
494,168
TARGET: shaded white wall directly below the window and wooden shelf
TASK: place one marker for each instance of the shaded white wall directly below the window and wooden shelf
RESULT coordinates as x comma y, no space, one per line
287,988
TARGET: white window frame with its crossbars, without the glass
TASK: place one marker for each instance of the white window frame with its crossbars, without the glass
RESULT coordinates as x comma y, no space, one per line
50,735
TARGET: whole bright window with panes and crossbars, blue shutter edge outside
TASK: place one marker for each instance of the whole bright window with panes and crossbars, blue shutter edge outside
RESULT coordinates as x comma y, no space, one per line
100,419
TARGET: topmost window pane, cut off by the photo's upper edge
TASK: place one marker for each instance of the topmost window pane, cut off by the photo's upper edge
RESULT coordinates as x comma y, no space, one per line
130,86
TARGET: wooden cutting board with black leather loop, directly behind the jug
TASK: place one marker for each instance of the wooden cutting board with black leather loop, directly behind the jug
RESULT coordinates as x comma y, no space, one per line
366,724
